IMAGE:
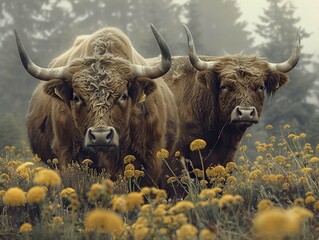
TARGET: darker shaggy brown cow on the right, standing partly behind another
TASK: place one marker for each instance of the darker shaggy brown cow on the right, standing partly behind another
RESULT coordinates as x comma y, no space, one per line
220,97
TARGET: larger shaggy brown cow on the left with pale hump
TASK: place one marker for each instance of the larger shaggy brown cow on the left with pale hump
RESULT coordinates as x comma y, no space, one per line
98,101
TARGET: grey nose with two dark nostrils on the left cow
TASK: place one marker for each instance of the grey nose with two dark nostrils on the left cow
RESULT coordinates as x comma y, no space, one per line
99,136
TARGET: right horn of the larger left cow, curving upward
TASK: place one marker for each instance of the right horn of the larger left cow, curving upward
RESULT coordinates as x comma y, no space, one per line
165,65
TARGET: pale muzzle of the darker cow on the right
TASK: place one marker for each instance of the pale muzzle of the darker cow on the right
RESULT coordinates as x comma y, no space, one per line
244,115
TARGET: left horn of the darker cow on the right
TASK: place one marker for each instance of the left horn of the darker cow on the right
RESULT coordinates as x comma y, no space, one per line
194,59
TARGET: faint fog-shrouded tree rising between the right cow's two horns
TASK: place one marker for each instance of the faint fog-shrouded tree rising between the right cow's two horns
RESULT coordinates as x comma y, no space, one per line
216,27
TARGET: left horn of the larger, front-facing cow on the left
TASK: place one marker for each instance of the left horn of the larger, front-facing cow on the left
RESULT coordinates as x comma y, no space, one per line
36,71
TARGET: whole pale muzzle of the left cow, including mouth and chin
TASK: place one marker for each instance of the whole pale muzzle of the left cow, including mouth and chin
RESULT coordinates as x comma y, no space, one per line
100,137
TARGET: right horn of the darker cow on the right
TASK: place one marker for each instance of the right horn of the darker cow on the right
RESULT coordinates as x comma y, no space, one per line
291,62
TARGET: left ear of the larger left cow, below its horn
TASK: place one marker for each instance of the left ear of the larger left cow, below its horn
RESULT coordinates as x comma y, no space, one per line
58,89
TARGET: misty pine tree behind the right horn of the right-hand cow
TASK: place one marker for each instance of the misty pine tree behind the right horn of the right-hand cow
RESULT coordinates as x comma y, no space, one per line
290,105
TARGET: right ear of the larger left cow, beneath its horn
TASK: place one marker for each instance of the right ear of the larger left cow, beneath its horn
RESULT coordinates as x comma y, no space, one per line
140,88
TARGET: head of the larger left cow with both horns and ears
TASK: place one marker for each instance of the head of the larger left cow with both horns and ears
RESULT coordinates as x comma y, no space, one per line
100,92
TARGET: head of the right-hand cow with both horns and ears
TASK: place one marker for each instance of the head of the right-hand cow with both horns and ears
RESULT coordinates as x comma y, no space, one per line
239,82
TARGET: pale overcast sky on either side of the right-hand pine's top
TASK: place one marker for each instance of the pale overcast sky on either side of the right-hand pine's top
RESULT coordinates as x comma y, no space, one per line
306,10
